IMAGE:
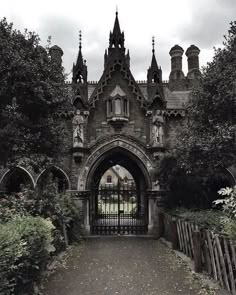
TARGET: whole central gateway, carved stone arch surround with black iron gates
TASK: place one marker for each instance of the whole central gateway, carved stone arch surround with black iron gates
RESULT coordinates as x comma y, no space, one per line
117,208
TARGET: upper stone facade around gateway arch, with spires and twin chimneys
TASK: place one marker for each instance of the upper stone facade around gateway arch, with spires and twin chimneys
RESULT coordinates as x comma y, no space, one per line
138,114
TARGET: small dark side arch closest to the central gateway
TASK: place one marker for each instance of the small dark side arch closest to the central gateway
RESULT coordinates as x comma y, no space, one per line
57,172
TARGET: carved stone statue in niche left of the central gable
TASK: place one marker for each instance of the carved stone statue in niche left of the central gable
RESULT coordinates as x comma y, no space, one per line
78,129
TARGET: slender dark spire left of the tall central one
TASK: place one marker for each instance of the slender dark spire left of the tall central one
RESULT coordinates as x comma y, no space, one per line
80,68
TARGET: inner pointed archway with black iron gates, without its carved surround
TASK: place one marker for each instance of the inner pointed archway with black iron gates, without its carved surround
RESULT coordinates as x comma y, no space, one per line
119,209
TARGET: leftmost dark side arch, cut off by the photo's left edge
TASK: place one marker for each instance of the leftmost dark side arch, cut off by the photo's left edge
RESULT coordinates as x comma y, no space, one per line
14,178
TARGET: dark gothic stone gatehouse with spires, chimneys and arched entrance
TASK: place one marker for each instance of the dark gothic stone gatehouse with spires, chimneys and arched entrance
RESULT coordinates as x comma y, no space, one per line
119,121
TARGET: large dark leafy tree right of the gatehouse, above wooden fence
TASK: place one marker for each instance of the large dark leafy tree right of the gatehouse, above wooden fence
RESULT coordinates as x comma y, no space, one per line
193,170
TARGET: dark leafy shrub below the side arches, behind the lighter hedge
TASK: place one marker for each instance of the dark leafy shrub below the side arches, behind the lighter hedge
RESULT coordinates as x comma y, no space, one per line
47,203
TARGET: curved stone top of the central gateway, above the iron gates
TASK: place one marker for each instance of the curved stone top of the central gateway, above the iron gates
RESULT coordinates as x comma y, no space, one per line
118,150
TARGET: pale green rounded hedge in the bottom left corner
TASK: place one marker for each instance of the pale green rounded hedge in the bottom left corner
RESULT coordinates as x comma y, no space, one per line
25,247
